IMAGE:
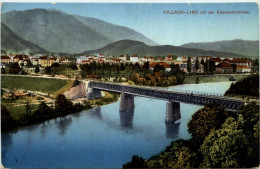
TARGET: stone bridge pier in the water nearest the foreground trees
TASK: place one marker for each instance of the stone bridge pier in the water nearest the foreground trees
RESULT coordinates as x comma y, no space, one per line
172,112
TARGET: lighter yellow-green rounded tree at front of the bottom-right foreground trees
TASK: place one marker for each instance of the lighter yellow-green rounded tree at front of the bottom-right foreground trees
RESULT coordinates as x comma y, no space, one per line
225,147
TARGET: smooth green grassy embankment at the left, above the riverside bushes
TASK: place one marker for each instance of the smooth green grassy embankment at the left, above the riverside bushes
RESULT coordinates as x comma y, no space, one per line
45,85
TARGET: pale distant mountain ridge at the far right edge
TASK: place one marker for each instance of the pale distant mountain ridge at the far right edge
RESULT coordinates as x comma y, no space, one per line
243,47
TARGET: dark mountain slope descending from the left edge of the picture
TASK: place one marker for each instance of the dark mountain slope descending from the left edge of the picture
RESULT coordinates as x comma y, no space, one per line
11,41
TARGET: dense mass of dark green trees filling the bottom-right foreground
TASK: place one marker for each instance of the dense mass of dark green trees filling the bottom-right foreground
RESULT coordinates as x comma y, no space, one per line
220,139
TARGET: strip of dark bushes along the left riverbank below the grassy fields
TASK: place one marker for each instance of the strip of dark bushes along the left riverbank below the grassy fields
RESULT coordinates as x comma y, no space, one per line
62,107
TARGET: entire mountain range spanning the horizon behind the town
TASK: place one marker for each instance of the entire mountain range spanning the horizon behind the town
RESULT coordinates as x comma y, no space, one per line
54,31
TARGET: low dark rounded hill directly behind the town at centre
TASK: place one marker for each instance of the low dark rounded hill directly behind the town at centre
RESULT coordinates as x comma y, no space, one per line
135,47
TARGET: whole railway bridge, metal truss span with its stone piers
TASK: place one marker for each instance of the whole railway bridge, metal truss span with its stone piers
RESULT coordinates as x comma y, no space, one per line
93,90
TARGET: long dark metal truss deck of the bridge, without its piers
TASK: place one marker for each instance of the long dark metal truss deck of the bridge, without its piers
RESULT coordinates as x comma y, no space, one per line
227,102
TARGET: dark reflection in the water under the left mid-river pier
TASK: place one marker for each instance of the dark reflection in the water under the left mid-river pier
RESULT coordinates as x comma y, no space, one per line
126,118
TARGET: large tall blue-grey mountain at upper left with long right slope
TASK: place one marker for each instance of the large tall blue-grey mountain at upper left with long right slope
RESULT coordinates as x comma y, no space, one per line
57,31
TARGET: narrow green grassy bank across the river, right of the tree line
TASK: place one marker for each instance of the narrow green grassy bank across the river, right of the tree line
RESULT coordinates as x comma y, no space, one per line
213,78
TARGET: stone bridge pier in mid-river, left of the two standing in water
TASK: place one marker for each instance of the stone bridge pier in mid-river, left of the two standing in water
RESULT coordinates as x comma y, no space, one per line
126,102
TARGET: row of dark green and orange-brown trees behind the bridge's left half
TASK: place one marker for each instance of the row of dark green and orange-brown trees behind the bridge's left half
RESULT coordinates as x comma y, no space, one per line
138,74
